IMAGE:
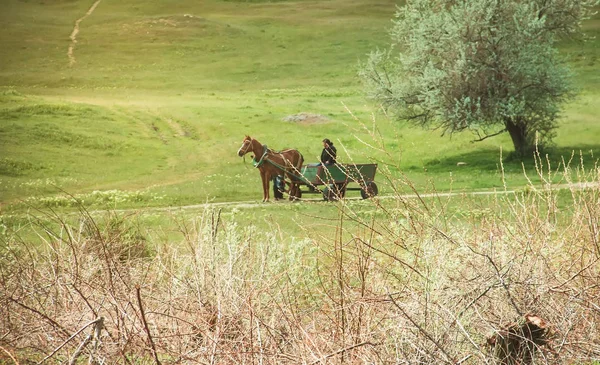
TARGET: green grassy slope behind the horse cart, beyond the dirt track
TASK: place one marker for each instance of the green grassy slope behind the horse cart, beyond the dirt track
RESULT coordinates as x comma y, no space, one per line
159,97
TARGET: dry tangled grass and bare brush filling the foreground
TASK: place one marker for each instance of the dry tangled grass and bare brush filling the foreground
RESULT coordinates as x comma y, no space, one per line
410,284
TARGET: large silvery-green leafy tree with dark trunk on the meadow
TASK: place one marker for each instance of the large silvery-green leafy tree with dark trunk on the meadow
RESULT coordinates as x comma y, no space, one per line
487,66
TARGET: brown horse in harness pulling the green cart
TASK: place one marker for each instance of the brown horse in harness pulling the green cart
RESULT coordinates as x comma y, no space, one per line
272,163
